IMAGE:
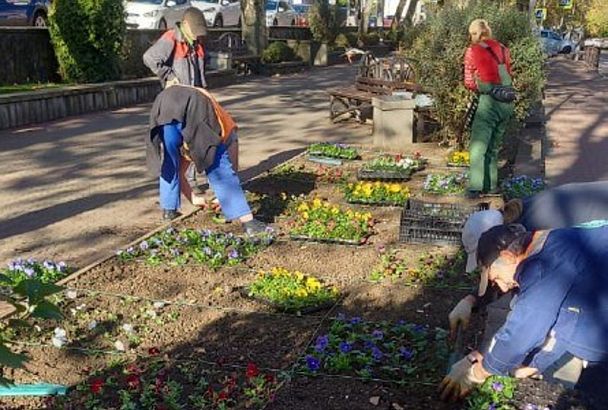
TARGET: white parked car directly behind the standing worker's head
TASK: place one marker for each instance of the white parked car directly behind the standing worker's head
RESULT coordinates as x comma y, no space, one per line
155,14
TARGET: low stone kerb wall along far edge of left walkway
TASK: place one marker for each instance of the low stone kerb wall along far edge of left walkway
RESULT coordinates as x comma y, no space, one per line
34,107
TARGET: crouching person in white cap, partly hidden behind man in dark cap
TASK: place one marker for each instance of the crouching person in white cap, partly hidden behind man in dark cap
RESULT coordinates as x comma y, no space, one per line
577,204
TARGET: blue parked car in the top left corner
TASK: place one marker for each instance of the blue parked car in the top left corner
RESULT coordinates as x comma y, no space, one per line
24,12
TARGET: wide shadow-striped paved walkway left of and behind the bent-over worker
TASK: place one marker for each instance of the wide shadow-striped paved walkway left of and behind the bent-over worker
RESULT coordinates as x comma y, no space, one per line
77,189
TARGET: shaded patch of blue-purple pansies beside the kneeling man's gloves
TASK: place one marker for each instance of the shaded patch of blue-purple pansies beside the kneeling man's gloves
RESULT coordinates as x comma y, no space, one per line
392,351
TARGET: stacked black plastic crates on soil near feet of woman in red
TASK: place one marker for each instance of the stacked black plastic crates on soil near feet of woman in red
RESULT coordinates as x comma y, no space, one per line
433,222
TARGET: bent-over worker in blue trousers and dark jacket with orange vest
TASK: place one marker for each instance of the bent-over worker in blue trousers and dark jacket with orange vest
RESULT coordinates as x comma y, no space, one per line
188,125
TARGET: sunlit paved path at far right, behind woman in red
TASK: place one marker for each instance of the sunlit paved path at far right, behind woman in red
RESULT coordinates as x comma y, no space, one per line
576,108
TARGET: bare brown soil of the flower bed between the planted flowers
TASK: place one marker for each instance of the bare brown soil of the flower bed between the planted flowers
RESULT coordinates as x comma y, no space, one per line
205,318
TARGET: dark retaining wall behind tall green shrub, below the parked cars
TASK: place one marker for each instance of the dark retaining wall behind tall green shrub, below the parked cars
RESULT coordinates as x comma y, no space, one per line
28,56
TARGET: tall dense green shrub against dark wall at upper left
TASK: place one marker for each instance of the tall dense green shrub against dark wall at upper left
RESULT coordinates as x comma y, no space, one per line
88,38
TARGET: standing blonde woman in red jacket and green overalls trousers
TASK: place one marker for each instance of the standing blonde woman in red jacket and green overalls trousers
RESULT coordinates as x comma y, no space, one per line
487,67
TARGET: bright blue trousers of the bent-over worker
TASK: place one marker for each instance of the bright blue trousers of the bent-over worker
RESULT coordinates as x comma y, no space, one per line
223,180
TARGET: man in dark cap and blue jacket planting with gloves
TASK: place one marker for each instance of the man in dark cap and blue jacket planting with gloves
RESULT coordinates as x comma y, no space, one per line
560,278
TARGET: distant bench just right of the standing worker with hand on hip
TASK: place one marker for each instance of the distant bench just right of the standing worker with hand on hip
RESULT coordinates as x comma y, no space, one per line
234,49
